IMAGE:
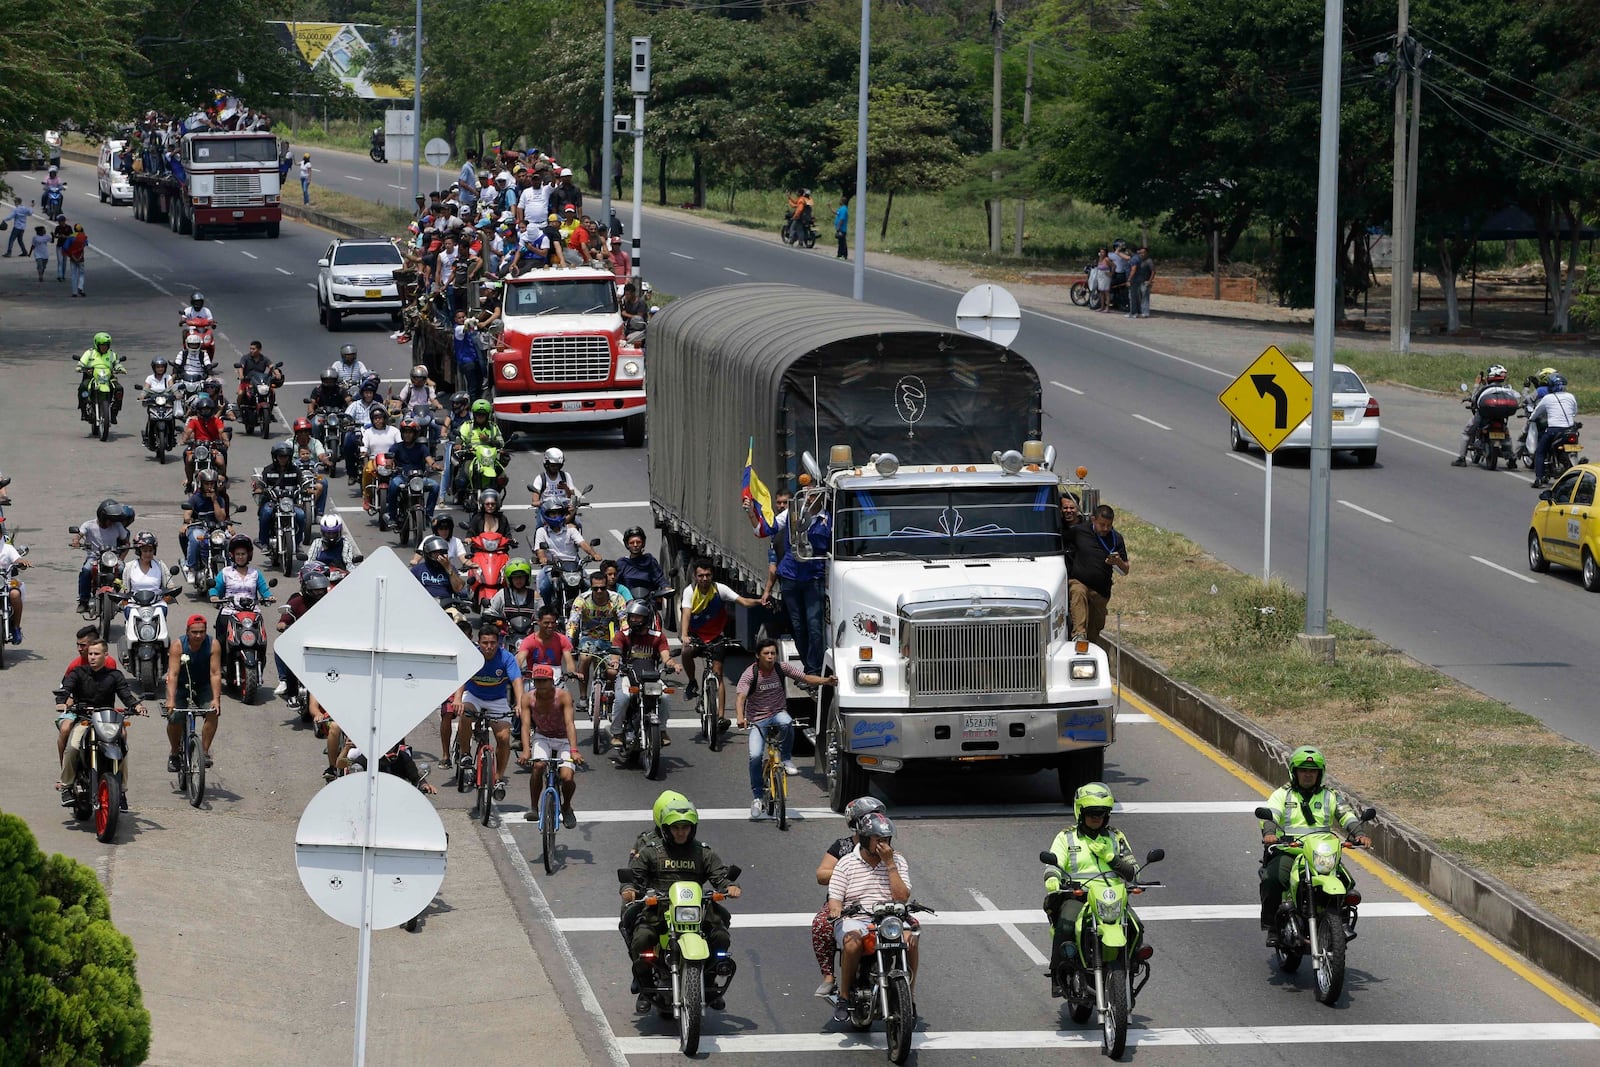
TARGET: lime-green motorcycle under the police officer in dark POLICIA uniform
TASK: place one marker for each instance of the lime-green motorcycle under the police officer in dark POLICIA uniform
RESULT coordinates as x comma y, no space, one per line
684,972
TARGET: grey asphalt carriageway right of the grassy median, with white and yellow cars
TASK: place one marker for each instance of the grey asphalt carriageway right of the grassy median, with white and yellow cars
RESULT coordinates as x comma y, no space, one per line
1430,559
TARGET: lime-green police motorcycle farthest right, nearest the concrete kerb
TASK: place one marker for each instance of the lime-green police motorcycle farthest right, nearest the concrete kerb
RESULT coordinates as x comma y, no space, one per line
1319,909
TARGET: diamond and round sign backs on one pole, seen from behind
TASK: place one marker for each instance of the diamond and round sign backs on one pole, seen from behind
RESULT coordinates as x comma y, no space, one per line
378,655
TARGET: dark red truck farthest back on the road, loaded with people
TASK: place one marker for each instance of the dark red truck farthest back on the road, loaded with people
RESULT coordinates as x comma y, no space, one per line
222,182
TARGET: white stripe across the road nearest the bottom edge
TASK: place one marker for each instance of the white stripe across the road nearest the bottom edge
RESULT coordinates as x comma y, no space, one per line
1166,1037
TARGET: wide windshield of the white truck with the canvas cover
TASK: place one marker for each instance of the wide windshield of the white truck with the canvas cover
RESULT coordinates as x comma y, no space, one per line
948,522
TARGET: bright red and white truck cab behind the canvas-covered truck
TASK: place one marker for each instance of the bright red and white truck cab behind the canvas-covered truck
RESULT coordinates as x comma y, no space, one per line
562,359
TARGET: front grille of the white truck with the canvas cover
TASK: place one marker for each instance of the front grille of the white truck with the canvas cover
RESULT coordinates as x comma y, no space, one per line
978,658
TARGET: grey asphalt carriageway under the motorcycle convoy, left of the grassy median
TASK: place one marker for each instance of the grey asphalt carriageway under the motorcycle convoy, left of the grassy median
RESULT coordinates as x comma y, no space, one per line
1418,991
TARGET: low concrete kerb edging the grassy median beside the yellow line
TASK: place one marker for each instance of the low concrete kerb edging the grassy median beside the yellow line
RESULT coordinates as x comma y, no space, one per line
1490,905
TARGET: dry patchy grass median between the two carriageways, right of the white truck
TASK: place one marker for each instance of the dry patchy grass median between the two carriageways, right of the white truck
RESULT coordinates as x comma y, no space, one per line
1479,778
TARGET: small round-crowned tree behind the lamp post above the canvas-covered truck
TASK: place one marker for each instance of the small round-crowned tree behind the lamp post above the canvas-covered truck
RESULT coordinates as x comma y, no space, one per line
908,145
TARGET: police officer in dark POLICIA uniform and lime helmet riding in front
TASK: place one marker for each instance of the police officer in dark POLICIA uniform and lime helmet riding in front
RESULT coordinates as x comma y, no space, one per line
673,855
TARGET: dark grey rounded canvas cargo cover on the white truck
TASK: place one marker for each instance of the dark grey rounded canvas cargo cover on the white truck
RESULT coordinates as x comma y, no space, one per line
802,370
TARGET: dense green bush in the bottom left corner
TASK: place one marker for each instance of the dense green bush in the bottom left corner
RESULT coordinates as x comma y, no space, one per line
68,986
